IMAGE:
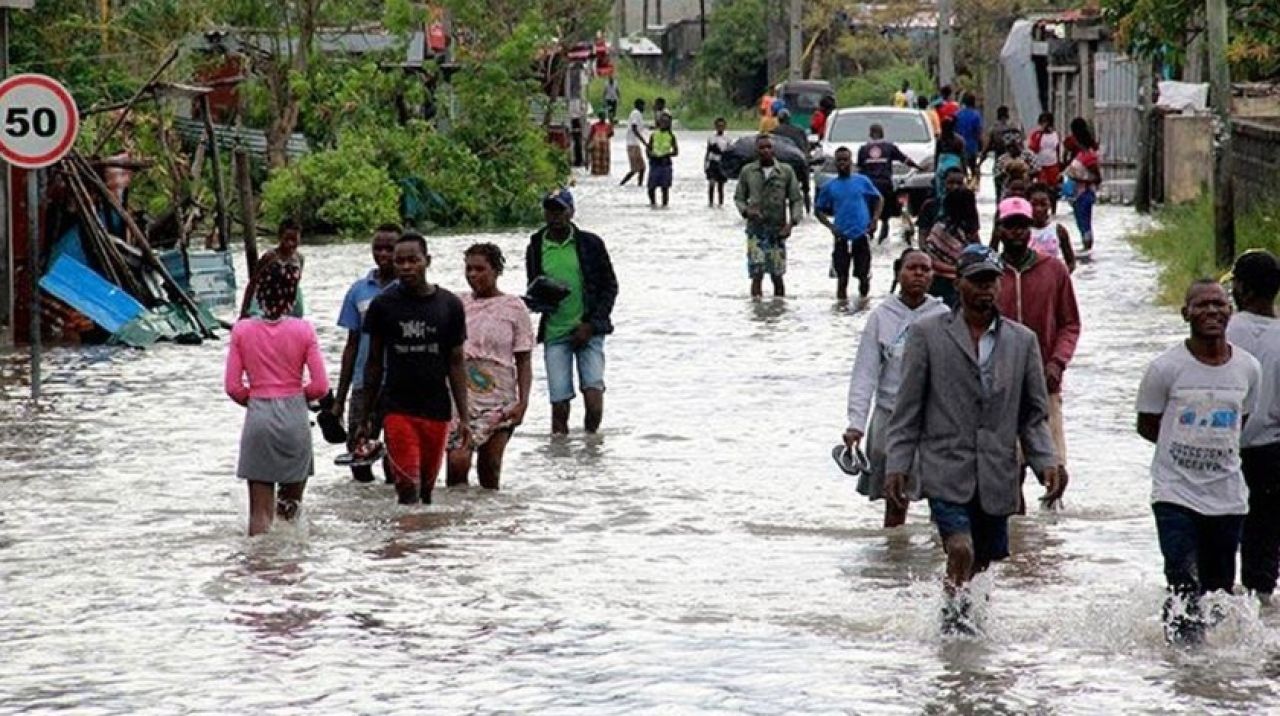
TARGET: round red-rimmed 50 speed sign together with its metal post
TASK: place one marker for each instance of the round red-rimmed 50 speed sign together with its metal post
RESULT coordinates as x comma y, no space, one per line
39,124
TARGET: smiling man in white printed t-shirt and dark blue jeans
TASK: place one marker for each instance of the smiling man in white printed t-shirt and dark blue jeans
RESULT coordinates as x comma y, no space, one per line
1194,404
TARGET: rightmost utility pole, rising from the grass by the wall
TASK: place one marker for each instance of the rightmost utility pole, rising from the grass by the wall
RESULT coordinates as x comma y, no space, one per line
1220,89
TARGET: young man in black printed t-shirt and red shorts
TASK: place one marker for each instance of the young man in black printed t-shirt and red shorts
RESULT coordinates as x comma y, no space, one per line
417,331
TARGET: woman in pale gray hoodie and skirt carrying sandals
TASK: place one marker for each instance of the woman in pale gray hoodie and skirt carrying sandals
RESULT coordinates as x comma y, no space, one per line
879,368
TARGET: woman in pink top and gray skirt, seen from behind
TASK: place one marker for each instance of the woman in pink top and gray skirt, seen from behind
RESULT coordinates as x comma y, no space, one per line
266,373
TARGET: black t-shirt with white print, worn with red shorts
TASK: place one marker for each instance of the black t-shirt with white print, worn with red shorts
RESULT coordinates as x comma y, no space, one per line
419,334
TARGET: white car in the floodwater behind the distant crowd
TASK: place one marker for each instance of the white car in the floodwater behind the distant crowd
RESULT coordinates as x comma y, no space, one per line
908,129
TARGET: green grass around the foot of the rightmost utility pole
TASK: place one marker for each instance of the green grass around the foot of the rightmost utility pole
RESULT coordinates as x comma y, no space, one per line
1182,243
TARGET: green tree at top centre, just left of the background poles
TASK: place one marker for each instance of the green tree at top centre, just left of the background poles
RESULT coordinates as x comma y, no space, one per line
734,54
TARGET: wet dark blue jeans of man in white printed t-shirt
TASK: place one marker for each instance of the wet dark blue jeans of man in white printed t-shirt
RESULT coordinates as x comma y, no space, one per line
1200,558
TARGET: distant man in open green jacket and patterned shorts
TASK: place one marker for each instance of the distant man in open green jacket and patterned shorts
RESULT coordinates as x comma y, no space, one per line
765,190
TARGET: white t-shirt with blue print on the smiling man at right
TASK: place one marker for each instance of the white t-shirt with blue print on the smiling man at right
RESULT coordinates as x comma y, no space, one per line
1197,462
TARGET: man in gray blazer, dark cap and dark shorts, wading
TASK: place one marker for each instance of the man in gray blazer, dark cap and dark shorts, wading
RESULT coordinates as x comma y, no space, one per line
973,387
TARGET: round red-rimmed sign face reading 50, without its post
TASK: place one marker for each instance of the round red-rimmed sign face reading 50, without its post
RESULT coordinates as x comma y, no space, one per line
39,121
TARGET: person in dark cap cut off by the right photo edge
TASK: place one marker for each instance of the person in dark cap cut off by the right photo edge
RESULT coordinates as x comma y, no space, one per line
1255,284
